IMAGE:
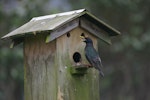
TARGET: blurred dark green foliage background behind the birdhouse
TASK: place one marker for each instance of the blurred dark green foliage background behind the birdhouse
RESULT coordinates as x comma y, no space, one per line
126,61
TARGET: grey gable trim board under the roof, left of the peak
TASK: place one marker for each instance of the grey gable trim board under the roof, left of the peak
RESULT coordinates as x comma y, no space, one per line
62,30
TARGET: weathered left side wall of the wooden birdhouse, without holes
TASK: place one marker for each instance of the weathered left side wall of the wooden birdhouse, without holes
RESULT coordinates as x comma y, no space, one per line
40,80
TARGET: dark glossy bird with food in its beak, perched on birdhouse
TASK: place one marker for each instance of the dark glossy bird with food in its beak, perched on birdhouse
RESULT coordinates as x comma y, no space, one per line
92,55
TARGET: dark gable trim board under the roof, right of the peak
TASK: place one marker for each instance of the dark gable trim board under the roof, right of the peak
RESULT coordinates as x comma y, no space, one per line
95,30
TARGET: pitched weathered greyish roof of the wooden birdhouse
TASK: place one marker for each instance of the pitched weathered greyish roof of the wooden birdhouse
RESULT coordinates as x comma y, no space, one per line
54,21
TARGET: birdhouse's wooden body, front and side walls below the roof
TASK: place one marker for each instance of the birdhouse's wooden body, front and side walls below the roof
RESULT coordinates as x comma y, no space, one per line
47,69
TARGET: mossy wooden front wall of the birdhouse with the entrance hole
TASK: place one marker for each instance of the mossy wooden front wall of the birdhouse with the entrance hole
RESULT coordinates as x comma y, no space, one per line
75,87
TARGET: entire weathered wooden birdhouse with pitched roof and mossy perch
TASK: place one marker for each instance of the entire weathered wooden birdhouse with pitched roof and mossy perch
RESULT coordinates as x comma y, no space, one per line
52,52
